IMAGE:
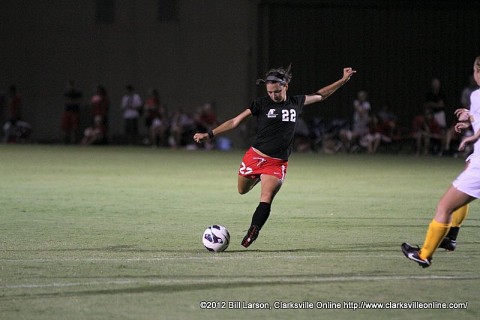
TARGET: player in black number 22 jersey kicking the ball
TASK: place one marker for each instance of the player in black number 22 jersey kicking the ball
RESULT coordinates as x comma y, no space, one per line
267,159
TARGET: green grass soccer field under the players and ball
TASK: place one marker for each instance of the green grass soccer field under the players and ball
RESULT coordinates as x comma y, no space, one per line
115,233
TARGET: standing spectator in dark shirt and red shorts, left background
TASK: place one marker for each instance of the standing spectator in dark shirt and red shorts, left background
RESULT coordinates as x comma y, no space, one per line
71,113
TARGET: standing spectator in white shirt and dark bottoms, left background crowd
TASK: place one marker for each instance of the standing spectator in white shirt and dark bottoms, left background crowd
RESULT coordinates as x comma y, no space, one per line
132,105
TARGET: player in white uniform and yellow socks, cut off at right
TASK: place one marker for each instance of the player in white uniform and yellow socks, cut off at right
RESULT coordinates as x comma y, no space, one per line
464,189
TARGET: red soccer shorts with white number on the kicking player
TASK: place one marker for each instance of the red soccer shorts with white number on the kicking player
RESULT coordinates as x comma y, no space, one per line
253,165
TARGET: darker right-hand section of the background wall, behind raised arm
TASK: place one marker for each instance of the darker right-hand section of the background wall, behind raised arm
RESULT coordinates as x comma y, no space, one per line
397,47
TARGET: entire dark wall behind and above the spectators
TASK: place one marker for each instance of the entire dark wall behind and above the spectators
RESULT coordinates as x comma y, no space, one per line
212,51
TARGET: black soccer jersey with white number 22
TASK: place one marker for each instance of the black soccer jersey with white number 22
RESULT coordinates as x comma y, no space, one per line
276,124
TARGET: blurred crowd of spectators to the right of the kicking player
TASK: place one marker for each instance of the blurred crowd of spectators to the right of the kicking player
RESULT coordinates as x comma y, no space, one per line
427,133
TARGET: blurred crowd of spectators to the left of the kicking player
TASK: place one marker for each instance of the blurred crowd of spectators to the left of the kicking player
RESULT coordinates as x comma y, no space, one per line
146,120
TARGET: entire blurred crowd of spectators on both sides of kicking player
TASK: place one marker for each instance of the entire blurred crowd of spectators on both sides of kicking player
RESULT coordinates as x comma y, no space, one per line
367,130
